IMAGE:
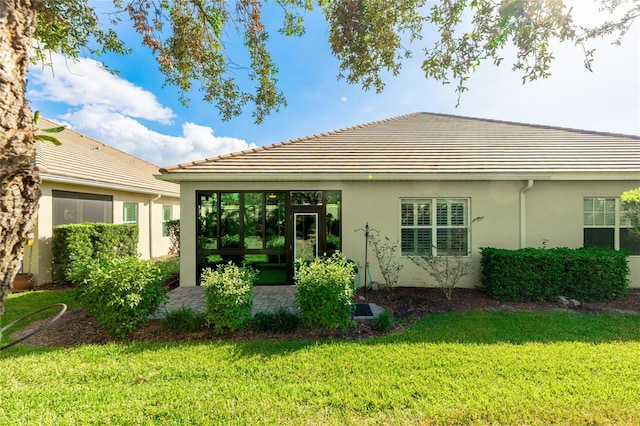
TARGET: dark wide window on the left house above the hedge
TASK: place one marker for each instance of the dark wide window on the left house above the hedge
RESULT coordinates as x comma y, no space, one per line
78,207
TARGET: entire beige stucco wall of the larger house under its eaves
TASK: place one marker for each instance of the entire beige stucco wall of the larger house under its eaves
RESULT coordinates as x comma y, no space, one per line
553,216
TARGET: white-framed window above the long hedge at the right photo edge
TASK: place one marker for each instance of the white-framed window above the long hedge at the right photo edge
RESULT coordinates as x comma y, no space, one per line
605,225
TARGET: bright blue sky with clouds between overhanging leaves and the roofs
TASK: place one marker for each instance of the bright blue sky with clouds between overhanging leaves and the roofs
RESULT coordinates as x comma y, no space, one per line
137,114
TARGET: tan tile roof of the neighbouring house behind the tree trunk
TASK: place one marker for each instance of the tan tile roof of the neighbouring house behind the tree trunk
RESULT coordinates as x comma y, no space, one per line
83,160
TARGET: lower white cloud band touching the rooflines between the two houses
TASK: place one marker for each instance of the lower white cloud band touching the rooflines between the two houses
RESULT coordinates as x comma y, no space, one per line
196,142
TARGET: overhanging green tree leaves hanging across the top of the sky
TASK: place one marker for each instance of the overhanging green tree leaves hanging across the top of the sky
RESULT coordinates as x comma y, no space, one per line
191,40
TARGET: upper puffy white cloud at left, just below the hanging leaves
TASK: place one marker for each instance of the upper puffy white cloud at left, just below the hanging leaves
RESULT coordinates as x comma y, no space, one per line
85,81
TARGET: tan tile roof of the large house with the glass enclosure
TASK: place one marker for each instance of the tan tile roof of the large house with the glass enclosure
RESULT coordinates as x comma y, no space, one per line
431,145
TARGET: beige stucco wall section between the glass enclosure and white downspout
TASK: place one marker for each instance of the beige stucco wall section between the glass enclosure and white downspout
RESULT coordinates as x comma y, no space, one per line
378,203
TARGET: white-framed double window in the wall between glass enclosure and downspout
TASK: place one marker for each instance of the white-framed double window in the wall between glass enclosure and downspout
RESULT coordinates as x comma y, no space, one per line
438,226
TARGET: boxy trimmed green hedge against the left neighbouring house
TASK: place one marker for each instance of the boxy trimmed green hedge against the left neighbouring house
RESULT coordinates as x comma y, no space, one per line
75,244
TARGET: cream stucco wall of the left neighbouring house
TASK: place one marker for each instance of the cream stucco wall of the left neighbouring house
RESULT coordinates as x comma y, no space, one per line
151,243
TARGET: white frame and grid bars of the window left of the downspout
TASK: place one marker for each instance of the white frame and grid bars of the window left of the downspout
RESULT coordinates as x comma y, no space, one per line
431,220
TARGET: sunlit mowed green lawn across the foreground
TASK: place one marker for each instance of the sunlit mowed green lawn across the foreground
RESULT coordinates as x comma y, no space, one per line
465,368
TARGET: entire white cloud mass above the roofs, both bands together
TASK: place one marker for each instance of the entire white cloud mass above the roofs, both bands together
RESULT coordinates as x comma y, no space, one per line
107,108
